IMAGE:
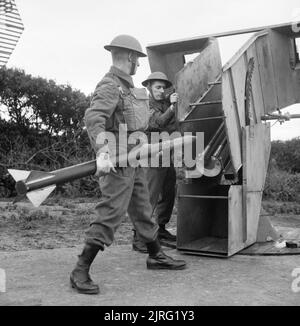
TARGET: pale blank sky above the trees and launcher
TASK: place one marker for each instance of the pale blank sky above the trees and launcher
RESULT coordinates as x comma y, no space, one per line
63,39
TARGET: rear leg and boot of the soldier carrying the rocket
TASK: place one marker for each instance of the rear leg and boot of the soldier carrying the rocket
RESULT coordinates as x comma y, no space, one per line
116,191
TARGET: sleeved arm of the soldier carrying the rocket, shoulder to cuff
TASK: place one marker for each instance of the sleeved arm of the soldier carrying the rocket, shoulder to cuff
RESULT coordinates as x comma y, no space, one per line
103,105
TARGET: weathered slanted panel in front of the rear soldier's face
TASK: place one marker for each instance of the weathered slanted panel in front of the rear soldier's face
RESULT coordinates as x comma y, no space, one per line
193,79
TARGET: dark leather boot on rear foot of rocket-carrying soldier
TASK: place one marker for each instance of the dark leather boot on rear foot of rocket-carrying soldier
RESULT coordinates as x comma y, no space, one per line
80,278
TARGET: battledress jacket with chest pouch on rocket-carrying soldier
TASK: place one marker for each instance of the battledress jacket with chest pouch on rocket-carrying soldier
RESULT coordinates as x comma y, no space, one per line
116,102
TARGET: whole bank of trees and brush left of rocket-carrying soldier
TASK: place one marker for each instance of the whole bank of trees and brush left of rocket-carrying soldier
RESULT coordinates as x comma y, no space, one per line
41,125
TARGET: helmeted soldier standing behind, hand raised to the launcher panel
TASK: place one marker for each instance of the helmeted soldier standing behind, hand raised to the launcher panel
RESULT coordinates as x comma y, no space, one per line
161,180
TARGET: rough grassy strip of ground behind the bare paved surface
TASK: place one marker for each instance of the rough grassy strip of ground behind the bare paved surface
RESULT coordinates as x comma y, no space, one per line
61,223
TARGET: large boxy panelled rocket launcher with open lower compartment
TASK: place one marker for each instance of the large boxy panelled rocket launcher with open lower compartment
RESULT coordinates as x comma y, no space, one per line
219,213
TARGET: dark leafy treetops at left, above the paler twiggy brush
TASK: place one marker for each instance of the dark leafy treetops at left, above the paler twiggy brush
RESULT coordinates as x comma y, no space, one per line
34,102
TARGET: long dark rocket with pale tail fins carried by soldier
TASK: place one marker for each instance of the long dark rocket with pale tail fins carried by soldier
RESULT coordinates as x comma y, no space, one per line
38,185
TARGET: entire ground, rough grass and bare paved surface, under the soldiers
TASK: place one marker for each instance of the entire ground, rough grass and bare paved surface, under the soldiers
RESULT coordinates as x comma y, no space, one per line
37,275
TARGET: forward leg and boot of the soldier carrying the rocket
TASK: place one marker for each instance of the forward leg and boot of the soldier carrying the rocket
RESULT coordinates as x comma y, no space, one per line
140,212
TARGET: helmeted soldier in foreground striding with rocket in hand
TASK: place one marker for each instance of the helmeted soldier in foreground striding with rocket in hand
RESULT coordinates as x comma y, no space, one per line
116,102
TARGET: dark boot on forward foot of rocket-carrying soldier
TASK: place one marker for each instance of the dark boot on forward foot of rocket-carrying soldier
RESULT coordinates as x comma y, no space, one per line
157,259
